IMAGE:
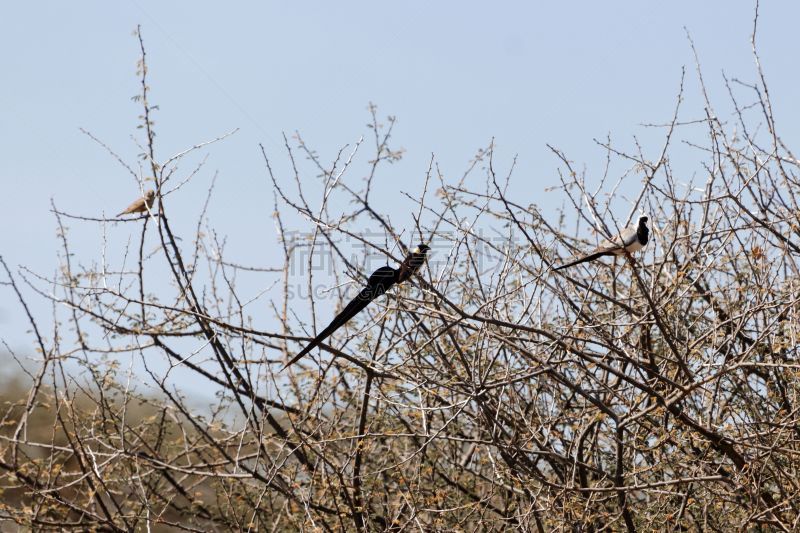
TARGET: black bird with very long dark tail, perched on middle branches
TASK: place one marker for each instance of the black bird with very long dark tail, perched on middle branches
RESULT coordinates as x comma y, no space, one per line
379,282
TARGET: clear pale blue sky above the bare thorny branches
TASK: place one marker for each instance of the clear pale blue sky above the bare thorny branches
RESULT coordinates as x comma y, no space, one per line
454,74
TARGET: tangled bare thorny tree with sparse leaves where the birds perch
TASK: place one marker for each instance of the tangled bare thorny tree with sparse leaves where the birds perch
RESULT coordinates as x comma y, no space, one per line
490,392
